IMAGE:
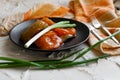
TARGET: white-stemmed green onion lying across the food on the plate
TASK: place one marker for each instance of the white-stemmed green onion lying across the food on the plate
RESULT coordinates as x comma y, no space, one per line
62,24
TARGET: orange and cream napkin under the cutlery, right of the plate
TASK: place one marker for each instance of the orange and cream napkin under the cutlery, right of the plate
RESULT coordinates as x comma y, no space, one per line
104,11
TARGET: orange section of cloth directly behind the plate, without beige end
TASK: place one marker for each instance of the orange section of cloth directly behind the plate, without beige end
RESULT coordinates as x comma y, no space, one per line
46,10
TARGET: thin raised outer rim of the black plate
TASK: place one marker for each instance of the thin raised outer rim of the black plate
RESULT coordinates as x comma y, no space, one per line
54,49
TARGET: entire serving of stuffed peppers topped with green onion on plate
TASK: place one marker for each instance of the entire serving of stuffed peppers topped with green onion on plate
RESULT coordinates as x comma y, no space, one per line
50,35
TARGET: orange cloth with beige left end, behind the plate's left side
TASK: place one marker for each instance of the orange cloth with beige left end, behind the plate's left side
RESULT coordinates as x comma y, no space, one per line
37,11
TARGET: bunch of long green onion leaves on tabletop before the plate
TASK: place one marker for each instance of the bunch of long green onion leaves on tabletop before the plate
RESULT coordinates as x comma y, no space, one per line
54,64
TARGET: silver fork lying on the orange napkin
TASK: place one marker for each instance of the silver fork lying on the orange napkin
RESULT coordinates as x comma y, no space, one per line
97,25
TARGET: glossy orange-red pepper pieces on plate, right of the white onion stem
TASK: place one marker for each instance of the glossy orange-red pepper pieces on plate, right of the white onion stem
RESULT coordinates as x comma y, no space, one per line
54,38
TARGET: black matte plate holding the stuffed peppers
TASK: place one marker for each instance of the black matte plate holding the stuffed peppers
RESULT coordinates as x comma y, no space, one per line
81,36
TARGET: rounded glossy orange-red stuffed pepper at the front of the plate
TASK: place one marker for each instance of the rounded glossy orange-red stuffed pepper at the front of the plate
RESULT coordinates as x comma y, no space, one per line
49,41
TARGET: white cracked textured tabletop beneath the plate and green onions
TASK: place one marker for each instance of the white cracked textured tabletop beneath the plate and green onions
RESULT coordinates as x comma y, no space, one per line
103,70
